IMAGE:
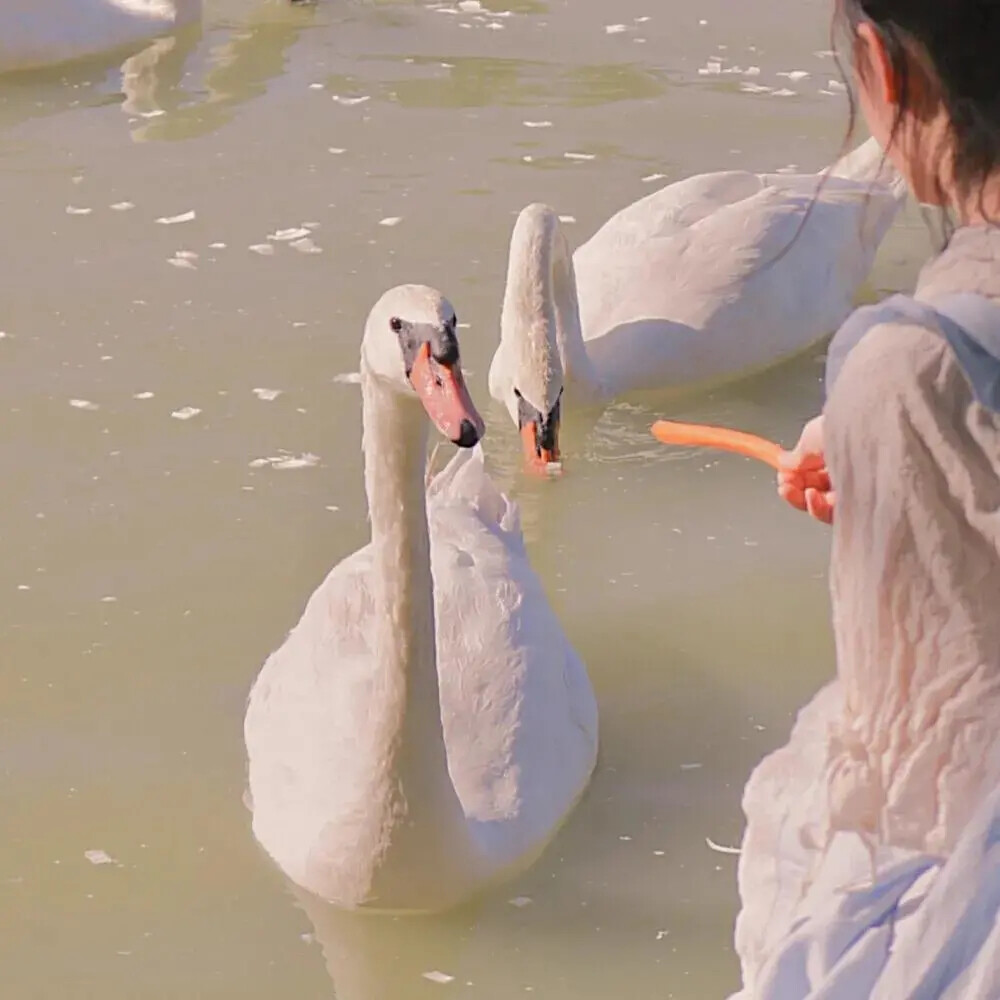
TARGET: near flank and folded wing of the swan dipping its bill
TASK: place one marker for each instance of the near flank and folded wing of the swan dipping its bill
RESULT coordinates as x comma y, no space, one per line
741,287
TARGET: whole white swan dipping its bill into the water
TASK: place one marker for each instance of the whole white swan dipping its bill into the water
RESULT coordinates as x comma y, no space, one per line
679,288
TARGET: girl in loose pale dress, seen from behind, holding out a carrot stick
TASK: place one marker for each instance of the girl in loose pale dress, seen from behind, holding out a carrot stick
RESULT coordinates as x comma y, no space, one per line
869,864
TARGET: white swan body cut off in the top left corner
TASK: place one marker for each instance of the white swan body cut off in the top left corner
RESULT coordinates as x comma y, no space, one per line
35,33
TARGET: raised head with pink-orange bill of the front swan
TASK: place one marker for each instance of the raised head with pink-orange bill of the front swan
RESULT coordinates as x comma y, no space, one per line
411,344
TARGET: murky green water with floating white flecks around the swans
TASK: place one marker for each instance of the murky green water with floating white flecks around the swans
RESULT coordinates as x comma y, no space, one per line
151,561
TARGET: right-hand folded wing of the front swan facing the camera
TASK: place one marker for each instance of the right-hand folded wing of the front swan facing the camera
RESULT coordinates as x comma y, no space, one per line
519,713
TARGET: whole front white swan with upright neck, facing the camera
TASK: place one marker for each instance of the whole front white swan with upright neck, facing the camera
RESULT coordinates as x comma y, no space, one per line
426,726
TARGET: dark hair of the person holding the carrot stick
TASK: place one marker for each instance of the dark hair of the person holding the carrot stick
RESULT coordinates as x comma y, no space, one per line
943,52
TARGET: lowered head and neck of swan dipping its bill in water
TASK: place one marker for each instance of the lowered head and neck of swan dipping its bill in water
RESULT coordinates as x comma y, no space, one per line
527,374
